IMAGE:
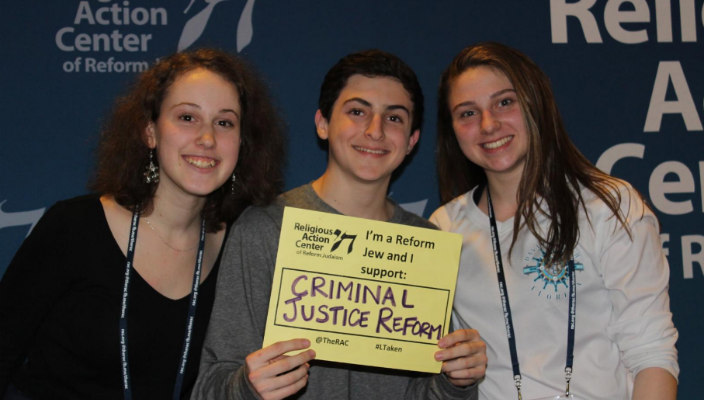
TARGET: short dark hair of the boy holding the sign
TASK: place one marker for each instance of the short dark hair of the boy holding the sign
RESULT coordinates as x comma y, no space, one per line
371,63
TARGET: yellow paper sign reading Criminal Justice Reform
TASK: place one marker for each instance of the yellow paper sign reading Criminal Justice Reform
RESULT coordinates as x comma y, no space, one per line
363,291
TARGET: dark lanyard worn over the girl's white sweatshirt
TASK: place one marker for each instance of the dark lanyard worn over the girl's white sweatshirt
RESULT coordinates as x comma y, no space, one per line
571,315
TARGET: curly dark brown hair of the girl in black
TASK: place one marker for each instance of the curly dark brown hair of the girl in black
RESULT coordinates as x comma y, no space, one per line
123,152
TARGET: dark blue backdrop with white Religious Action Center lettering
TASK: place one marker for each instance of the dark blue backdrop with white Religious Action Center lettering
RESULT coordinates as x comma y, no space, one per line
627,76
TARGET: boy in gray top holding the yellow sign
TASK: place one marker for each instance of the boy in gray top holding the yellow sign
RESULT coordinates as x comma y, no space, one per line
371,109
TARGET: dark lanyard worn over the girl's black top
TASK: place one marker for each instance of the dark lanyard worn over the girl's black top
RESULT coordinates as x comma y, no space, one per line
127,389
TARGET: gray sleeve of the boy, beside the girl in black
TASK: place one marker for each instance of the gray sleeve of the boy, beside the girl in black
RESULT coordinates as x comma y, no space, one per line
239,313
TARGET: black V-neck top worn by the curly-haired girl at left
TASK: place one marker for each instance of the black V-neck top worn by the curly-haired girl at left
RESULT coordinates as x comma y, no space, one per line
60,303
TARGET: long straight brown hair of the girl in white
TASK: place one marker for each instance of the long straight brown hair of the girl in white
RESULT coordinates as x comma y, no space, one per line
554,168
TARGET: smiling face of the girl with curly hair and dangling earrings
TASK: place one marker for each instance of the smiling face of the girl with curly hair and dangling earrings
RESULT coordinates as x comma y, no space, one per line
197,134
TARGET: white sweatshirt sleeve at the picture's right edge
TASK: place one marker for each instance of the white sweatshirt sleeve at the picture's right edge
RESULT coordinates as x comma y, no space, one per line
636,274
